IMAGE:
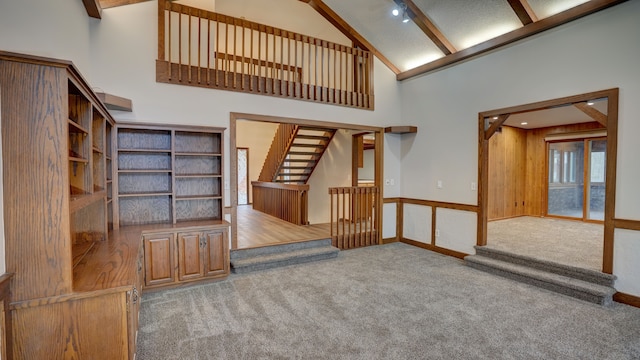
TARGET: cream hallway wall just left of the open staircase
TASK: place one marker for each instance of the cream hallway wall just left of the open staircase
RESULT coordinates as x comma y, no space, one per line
257,136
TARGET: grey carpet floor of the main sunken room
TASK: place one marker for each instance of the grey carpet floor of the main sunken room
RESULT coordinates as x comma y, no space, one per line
392,301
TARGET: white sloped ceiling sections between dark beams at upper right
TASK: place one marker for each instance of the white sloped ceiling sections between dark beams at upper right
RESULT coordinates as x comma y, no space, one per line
464,23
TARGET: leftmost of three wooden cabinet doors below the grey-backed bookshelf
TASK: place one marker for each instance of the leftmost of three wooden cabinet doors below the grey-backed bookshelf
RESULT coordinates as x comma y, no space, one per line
158,259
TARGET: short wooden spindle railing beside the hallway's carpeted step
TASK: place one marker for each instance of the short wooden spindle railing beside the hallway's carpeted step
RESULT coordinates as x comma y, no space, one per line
355,216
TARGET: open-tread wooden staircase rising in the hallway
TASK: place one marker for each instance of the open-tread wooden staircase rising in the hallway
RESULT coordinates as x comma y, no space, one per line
302,156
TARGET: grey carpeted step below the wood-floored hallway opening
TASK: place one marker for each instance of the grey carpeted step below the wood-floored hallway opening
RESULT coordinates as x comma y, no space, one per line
267,257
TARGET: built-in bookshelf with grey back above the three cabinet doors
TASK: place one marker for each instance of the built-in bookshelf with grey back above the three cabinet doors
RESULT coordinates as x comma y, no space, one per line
168,174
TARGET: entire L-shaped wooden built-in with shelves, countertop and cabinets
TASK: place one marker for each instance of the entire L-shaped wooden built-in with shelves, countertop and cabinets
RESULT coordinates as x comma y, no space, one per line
73,181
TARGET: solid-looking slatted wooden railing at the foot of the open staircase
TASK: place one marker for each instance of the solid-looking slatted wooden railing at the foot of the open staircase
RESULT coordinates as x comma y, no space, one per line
288,202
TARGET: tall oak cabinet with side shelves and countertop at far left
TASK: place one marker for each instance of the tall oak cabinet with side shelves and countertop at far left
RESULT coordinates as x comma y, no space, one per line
74,289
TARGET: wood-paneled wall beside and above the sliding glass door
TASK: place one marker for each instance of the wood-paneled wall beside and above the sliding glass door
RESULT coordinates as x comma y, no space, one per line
518,169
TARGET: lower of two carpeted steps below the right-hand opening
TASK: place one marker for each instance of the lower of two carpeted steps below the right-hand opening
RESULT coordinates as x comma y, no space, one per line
580,289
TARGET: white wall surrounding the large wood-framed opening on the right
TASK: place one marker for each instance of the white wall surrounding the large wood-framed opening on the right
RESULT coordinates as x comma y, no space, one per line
597,52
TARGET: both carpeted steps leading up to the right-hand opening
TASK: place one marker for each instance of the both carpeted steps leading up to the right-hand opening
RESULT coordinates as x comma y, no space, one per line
584,284
